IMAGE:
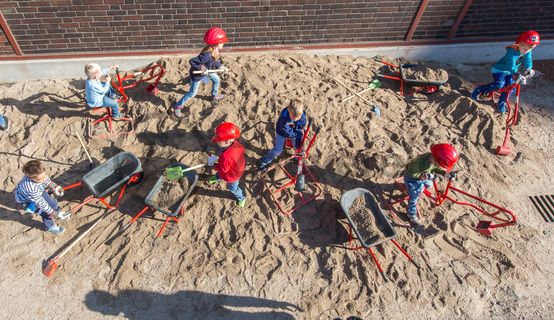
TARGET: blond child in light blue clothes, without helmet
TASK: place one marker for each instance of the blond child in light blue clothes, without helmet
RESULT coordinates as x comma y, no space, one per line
98,91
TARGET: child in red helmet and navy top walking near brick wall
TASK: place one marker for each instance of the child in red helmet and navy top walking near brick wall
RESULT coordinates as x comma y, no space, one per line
209,58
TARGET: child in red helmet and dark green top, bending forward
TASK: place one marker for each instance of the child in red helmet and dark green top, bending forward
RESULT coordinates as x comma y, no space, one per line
419,173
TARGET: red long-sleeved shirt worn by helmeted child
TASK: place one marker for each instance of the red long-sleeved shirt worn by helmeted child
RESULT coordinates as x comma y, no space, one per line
231,163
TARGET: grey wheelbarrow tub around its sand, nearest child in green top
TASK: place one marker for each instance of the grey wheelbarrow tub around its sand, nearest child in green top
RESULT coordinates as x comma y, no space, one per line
382,222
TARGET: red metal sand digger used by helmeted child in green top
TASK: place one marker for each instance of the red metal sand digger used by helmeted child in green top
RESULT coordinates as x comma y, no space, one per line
484,227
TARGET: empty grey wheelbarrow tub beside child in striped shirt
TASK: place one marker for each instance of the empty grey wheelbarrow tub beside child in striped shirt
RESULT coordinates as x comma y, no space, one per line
110,175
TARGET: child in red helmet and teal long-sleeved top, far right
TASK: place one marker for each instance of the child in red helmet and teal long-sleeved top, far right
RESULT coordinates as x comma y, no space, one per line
506,68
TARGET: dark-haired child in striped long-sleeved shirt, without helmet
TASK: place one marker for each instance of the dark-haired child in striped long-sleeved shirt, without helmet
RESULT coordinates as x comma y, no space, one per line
30,193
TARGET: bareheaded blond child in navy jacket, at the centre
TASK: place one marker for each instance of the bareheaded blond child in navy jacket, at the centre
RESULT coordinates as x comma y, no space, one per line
290,125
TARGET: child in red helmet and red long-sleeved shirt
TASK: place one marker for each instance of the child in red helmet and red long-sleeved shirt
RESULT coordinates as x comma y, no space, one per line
230,163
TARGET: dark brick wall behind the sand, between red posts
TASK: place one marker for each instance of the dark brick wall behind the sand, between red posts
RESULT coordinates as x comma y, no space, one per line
56,26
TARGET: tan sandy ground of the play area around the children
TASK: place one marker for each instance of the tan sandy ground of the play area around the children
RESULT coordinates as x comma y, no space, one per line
224,262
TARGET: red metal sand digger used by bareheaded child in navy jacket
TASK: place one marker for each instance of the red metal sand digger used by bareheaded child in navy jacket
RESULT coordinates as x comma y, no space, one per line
292,178
